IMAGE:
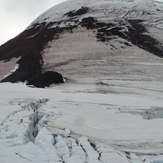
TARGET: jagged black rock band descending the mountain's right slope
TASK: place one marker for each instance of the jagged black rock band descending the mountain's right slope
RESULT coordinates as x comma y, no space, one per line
132,31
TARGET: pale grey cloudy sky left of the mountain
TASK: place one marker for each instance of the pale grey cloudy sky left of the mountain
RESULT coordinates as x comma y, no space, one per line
16,15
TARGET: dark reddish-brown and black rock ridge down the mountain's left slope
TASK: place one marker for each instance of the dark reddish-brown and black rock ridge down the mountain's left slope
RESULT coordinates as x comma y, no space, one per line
28,46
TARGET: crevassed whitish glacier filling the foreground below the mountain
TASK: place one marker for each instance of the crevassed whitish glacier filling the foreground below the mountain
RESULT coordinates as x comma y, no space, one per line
79,123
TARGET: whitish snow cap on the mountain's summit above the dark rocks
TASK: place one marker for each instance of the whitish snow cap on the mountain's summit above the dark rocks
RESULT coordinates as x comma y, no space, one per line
101,9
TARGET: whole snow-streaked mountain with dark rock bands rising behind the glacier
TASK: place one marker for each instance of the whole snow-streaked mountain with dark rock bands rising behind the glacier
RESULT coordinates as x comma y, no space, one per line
89,39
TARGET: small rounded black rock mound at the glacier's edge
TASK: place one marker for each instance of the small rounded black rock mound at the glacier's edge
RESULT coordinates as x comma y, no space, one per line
46,79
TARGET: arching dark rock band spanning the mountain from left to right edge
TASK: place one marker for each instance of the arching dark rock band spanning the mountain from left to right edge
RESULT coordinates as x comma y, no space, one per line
29,44
